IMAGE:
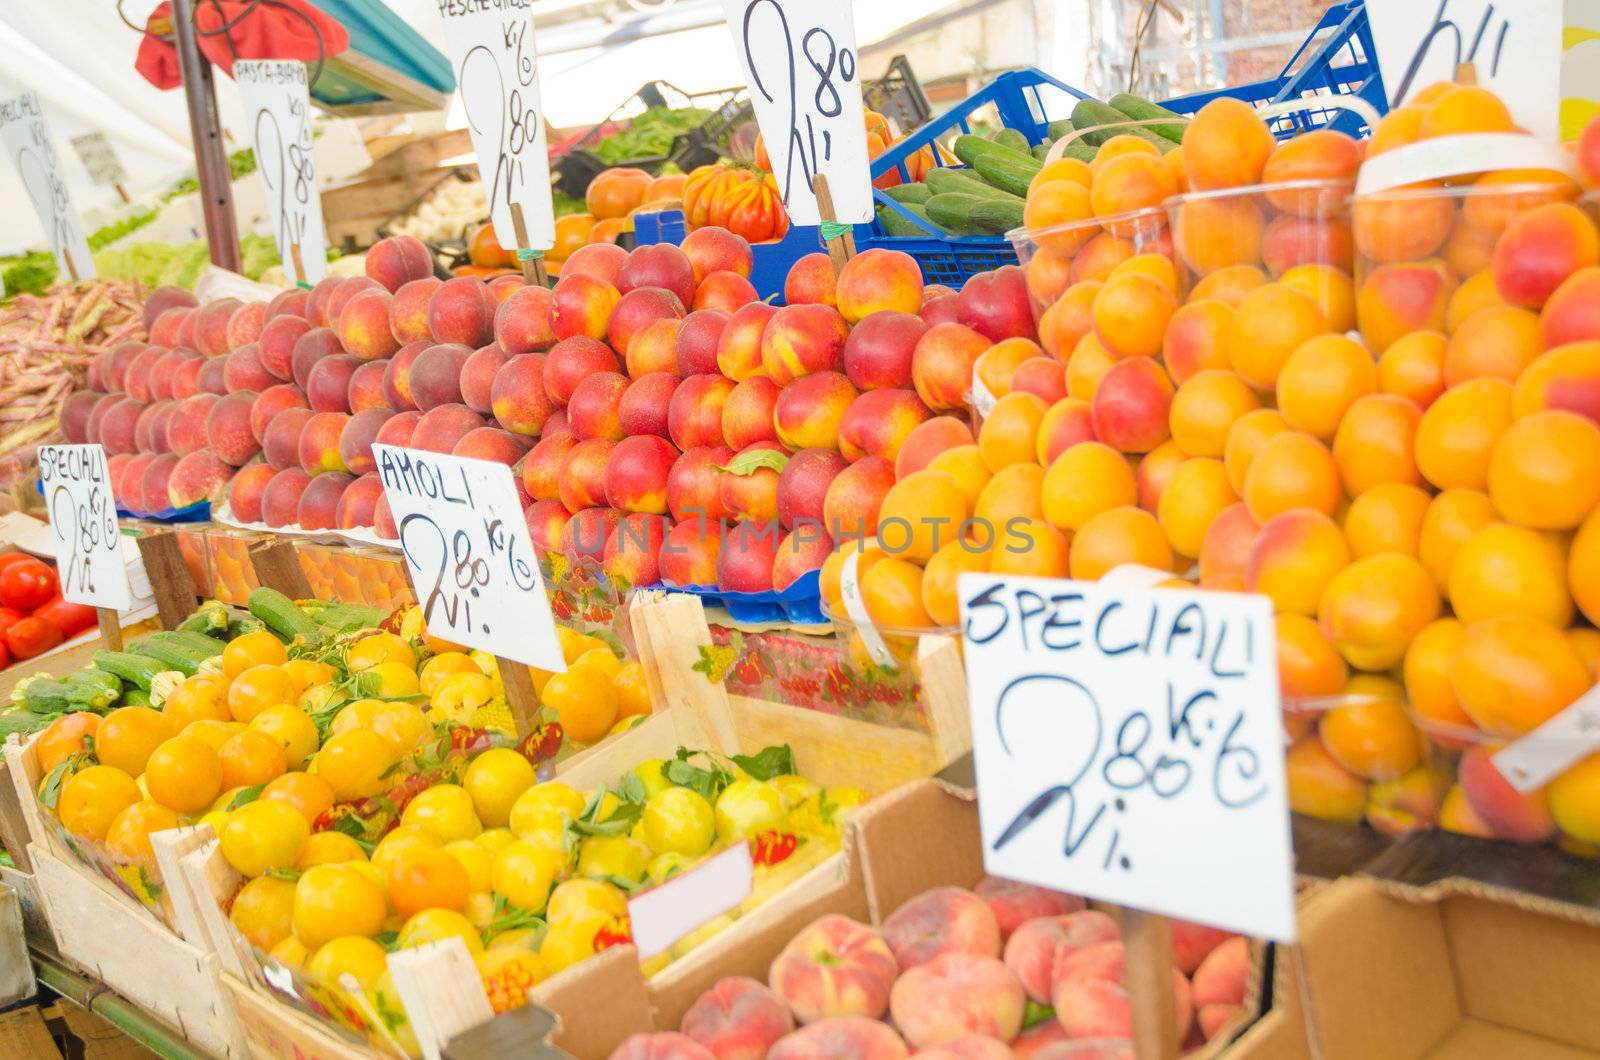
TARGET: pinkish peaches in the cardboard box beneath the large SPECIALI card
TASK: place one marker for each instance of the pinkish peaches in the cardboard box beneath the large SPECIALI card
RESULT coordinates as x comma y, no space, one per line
1004,970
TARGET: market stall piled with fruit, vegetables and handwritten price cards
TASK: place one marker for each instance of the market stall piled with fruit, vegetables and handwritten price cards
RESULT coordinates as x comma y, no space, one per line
1060,576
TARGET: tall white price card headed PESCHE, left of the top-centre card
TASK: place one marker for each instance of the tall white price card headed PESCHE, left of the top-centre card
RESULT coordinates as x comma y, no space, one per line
498,78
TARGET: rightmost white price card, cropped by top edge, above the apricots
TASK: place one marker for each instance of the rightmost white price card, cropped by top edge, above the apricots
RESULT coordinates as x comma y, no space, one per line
1514,47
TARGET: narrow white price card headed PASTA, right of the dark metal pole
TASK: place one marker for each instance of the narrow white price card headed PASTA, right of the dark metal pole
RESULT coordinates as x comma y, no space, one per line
278,111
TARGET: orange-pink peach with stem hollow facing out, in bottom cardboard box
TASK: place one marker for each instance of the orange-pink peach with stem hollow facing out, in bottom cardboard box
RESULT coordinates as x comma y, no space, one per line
834,968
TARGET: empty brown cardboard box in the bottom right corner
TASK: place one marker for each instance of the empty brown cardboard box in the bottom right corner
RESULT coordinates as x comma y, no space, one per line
1455,971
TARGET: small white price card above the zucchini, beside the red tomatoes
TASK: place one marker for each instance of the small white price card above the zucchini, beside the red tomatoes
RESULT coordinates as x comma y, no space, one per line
84,523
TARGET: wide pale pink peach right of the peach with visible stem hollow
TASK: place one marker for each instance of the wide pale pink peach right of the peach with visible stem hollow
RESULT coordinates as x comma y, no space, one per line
956,995
